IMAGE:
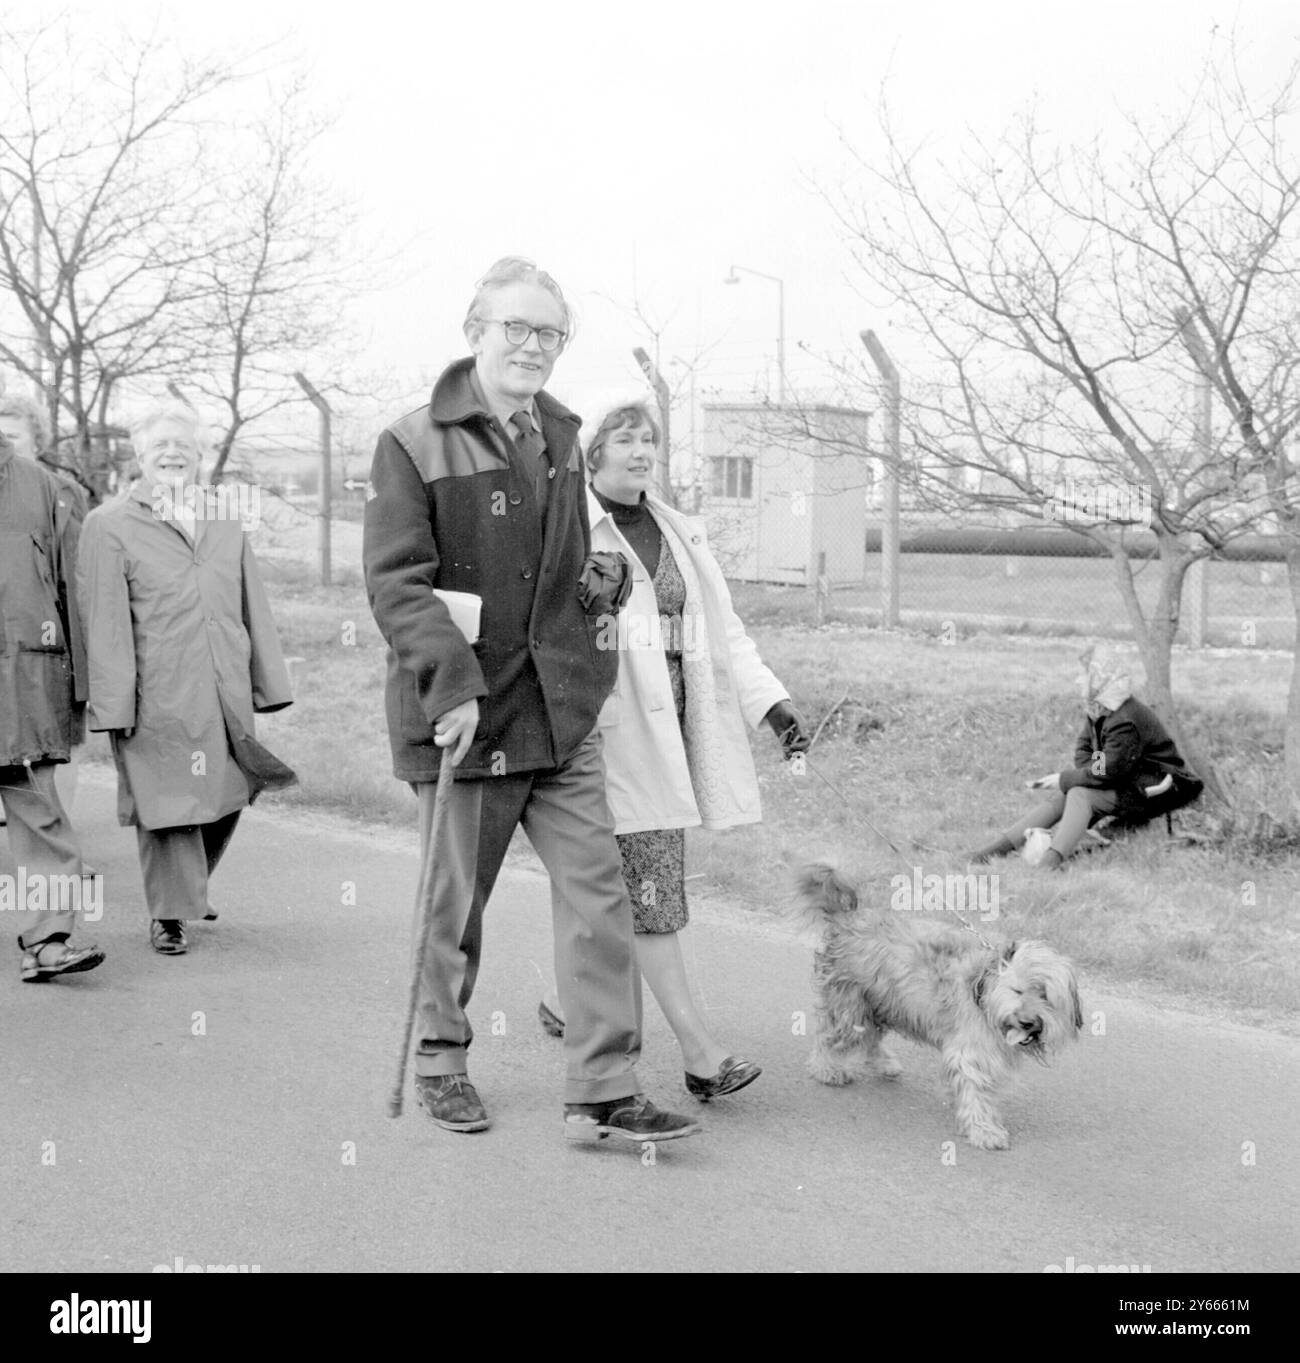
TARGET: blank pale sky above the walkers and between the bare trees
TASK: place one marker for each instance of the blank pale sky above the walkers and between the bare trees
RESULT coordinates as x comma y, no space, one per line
637,152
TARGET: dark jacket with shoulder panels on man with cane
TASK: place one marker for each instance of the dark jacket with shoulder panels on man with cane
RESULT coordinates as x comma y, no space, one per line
452,506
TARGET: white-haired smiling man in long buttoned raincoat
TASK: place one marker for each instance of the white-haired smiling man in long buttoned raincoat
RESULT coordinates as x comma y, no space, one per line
182,652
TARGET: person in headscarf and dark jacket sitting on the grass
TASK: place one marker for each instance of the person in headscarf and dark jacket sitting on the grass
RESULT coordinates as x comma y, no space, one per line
1125,764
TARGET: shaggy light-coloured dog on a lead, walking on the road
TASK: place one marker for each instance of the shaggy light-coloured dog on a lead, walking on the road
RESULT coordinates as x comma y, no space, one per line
985,1008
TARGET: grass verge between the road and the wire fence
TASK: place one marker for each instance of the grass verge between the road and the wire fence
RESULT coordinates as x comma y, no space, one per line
931,744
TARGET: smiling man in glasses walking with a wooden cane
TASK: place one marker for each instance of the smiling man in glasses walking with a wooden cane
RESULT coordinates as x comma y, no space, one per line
483,493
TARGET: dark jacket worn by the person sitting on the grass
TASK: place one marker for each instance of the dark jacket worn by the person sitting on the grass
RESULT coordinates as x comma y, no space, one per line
1129,752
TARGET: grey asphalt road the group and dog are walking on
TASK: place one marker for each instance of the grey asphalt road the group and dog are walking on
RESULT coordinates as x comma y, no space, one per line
228,1107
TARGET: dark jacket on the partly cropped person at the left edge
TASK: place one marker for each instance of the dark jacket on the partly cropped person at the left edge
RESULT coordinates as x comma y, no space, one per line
43,662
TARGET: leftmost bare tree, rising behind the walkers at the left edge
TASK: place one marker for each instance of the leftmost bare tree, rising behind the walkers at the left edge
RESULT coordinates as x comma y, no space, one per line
104,213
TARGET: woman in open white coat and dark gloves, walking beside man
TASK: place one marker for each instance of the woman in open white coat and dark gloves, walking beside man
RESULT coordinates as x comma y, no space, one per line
675,729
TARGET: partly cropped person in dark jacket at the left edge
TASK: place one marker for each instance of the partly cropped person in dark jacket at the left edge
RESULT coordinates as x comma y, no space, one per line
42,678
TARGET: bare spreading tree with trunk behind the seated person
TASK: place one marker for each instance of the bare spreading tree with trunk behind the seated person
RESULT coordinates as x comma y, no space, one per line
1046,294
